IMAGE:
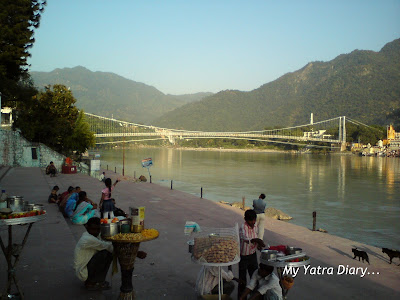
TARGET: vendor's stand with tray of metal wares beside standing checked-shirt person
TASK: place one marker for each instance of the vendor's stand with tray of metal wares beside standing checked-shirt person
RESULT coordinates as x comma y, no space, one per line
289,257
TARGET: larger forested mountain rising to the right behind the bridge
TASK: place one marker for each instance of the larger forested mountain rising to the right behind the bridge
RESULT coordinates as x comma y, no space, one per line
363,85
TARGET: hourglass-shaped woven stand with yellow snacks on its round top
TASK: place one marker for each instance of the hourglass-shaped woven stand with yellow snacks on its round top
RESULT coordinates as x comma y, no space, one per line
126,246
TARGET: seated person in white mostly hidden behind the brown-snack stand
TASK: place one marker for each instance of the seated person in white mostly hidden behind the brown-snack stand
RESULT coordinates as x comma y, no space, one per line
207,281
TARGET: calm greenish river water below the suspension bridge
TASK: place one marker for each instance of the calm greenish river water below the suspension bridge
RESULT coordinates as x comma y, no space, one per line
355,197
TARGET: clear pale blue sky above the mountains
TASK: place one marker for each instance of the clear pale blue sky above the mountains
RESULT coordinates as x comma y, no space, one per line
193,46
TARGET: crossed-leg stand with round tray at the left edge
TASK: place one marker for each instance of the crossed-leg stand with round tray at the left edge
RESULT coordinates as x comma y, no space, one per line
14,250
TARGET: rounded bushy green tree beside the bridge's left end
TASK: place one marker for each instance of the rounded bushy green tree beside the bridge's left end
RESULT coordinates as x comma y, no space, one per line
52,118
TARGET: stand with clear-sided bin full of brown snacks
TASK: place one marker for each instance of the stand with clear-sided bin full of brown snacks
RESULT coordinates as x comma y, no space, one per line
216,247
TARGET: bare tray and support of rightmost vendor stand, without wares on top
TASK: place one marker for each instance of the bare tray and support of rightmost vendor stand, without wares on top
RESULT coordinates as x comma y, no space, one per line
282,262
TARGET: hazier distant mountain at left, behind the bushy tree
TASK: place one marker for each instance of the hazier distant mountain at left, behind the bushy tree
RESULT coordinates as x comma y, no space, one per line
109,94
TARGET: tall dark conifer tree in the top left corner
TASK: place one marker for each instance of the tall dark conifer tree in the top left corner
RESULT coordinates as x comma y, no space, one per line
18,20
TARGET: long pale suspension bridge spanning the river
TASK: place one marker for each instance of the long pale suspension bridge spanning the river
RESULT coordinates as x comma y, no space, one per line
325,133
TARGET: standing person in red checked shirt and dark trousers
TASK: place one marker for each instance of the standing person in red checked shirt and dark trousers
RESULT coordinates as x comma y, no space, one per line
249,243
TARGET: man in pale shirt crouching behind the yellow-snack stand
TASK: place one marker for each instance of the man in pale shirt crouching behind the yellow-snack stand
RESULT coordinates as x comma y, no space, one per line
93,256
